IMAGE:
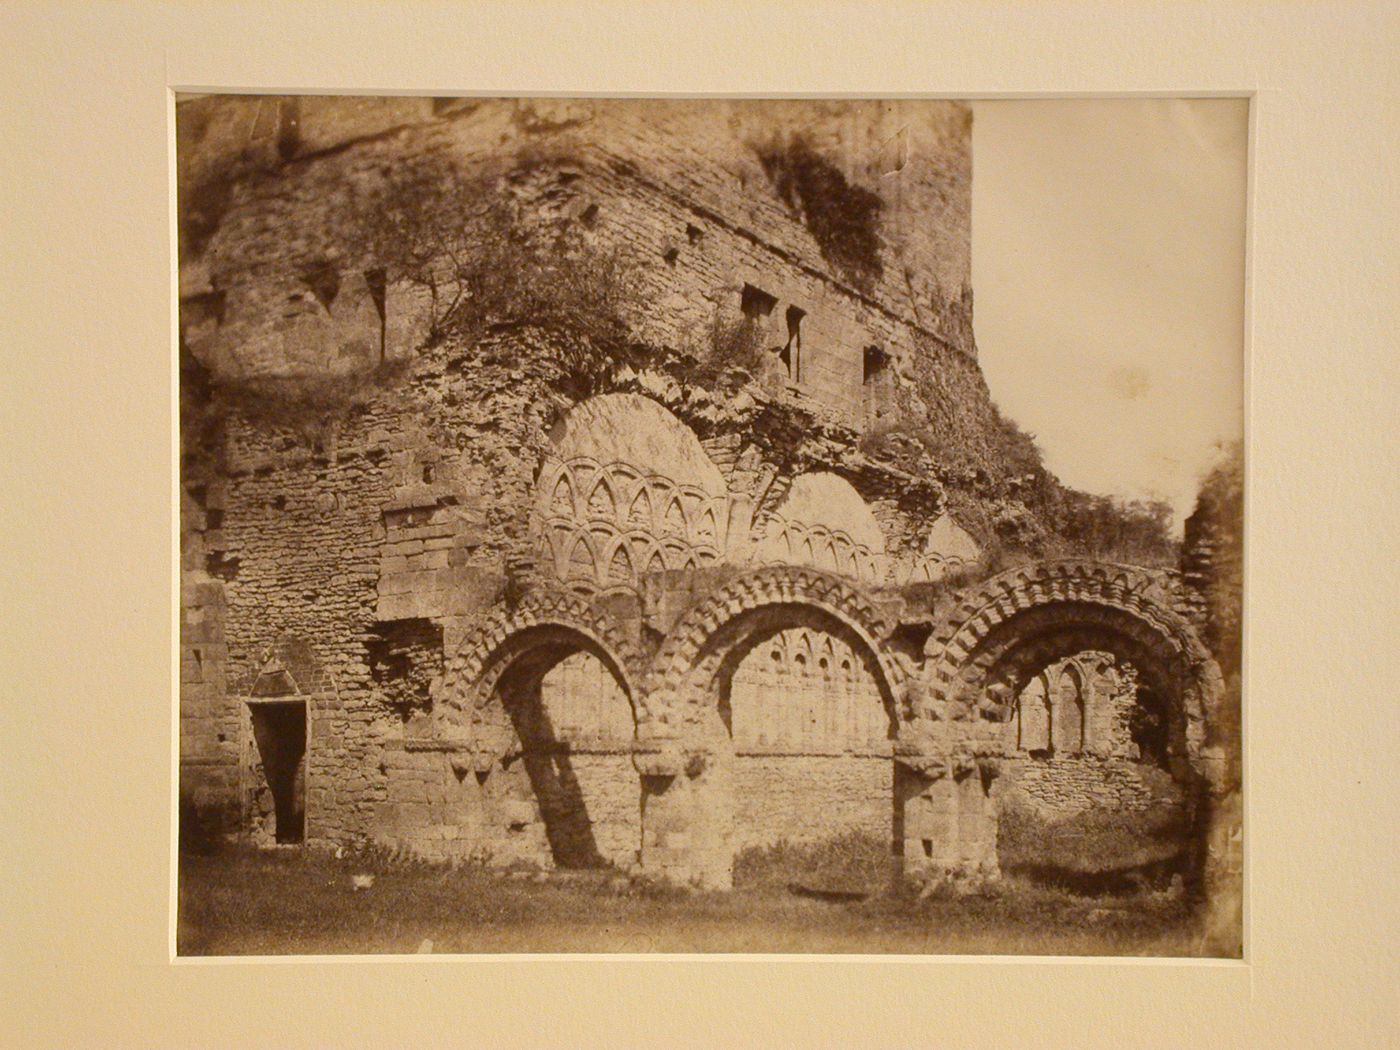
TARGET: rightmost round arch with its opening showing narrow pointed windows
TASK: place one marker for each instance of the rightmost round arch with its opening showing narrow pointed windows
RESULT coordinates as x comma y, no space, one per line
1032,649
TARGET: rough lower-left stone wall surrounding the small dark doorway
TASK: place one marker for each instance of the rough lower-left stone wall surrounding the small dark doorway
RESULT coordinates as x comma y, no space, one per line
407,512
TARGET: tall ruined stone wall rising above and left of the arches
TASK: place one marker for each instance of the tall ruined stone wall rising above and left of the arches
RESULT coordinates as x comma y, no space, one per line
376,537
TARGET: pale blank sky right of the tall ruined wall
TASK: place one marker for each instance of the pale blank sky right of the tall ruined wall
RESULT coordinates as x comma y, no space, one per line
1108,258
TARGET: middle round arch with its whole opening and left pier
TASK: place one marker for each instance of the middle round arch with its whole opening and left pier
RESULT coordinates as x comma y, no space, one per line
827,771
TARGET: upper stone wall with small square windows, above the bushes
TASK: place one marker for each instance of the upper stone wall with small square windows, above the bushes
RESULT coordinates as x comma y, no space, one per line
680,185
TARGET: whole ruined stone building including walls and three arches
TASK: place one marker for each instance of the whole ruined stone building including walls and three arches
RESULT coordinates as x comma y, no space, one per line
663,622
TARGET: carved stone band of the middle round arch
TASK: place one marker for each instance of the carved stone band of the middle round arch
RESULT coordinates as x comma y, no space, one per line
769,587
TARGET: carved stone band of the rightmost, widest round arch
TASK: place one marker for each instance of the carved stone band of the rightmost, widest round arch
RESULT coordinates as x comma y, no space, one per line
1003,632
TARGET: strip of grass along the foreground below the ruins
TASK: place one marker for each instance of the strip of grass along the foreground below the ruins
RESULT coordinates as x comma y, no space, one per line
304,902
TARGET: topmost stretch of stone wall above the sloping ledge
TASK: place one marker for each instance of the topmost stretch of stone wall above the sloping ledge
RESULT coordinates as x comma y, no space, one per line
705,155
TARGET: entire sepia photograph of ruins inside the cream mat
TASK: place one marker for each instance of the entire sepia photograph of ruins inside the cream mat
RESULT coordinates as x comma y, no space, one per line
710,526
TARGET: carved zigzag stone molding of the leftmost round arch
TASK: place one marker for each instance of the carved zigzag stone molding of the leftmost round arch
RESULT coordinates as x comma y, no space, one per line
541,622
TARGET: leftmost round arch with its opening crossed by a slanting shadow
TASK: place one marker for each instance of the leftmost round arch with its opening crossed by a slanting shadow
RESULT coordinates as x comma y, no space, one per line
542,701
